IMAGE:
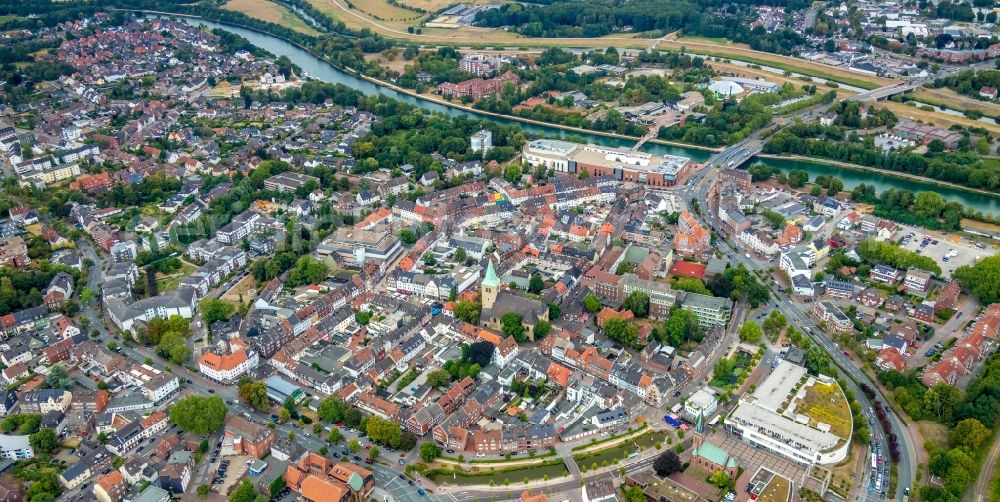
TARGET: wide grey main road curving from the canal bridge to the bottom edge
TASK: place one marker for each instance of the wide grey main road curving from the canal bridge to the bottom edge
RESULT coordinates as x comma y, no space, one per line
697,188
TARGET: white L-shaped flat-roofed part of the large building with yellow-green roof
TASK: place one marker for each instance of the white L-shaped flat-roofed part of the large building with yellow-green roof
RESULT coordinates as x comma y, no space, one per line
764,419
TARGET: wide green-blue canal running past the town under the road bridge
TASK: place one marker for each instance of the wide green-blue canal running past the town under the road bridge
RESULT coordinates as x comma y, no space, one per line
321,70
